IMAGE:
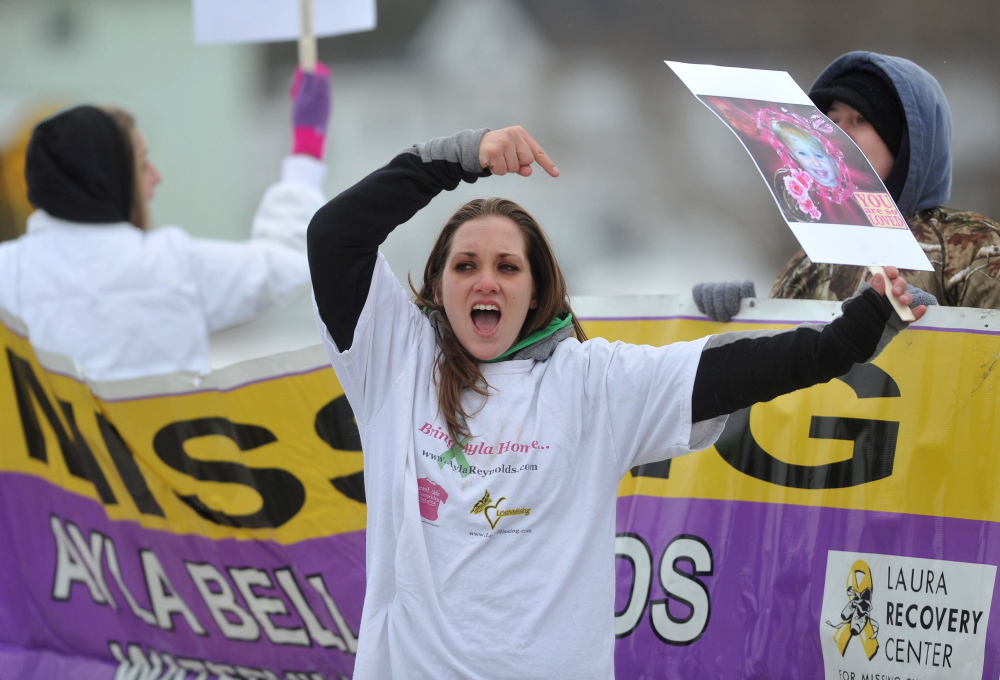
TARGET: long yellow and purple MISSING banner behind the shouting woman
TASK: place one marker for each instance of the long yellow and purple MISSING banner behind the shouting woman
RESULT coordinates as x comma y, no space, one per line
213,527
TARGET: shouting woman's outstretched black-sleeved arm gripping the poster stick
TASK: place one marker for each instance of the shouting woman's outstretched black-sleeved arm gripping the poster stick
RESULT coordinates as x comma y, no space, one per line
739,369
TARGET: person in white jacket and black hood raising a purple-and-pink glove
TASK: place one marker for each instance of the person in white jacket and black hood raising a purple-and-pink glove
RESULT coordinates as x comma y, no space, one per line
92,281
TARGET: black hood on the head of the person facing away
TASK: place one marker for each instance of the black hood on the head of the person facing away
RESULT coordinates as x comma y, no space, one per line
79,167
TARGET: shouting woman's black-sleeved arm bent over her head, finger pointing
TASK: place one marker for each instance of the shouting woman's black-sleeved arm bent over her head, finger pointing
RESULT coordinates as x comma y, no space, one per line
345,234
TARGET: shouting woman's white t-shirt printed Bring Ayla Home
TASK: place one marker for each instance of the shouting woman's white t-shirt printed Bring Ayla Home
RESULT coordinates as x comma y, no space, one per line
499,563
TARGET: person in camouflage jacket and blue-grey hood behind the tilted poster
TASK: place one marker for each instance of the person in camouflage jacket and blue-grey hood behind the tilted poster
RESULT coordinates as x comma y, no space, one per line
905,106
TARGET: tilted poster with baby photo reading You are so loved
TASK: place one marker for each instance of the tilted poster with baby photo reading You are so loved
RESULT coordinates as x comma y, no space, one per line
826,189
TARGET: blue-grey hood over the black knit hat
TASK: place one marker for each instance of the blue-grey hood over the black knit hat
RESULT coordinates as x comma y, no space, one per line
928,121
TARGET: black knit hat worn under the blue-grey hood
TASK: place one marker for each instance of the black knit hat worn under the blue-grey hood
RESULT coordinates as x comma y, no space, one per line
873,97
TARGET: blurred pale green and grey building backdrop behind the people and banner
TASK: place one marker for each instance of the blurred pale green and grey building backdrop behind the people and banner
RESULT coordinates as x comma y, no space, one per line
655,193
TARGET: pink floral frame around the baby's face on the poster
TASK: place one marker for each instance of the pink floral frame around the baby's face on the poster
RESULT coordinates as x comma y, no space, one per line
799,186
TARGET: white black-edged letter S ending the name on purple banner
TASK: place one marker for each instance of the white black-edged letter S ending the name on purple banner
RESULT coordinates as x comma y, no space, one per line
684,588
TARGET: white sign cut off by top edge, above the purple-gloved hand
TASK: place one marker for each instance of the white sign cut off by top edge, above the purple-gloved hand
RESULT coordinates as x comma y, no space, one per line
233,21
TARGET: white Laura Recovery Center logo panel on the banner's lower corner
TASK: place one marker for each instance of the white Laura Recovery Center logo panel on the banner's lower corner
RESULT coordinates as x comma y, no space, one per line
904,617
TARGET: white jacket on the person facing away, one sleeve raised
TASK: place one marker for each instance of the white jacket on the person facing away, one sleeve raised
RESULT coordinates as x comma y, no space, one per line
126,303
